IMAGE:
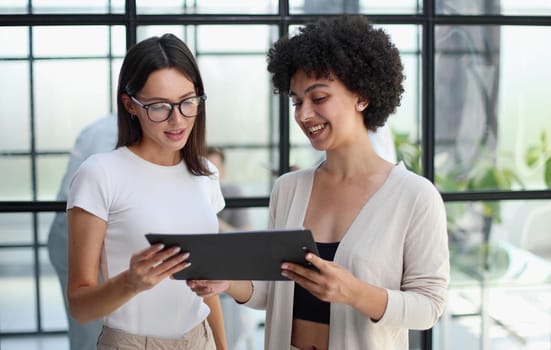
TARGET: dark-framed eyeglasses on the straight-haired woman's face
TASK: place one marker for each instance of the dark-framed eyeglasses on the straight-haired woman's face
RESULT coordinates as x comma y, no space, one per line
158,112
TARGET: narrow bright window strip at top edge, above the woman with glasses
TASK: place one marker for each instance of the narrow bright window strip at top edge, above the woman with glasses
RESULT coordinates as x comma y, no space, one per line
206,6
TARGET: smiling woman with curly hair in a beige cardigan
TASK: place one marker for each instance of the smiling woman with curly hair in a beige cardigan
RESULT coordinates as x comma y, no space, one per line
381,233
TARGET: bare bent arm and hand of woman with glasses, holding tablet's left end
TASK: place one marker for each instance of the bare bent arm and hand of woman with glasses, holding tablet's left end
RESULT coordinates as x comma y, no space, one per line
88,300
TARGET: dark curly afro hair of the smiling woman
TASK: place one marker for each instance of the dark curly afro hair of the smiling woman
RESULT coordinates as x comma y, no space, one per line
351,49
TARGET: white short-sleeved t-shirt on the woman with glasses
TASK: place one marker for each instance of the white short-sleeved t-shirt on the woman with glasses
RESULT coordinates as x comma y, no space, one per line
136,197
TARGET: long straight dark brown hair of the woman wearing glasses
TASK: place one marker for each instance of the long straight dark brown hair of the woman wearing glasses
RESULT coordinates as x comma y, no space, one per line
141,60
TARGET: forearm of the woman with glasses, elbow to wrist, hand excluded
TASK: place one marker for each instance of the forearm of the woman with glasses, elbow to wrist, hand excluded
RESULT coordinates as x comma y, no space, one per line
94,302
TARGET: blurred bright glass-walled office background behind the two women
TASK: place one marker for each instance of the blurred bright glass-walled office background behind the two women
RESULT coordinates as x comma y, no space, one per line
475,119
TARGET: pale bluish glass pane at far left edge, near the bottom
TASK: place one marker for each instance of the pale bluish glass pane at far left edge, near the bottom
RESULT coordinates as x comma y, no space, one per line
17,299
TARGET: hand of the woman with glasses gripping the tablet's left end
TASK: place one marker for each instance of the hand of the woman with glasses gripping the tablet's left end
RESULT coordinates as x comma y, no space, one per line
152,265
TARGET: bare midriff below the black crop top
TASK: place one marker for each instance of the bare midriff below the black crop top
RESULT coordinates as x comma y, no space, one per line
308,335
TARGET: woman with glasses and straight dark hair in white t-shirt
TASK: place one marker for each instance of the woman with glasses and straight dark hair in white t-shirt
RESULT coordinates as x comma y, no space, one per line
156,180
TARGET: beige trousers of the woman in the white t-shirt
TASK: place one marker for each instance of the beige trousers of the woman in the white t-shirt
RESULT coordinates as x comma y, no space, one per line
199,338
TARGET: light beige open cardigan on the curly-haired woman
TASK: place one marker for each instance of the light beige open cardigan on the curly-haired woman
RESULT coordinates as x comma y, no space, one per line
398,241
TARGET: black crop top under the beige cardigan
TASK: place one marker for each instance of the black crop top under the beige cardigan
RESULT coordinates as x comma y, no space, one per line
305,305
